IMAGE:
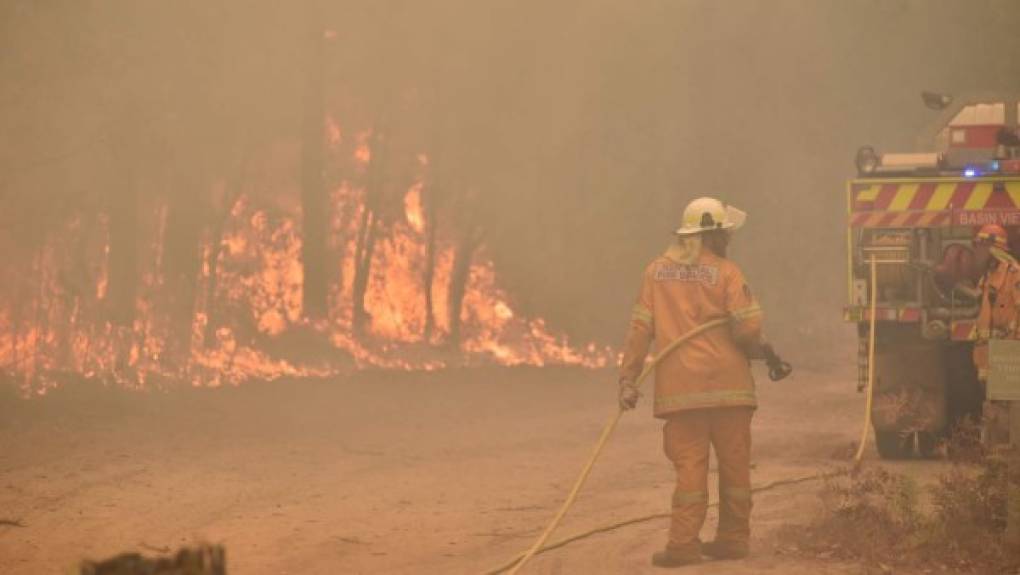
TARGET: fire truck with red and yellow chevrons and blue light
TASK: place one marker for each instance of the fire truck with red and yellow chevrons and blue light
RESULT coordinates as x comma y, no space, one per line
912,218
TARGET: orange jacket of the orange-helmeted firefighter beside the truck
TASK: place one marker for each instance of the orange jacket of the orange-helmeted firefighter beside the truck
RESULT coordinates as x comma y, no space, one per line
1000,316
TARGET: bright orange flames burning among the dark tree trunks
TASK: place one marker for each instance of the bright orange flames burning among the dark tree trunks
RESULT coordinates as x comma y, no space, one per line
248,319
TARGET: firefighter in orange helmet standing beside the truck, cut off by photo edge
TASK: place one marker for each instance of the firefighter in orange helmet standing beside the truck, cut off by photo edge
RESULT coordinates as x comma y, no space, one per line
1000,288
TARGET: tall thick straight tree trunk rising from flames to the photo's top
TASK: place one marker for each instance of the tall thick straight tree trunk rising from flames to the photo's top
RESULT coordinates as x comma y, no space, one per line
316,290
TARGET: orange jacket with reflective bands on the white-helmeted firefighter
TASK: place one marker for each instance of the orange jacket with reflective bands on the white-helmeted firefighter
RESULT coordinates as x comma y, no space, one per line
711,371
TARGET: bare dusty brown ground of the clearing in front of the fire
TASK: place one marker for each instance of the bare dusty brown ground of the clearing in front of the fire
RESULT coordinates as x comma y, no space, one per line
450,473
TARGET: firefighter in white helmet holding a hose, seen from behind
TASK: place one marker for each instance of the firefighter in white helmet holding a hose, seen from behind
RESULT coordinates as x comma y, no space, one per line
704,391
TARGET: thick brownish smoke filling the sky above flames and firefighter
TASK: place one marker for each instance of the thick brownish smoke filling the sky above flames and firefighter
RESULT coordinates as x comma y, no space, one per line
582,128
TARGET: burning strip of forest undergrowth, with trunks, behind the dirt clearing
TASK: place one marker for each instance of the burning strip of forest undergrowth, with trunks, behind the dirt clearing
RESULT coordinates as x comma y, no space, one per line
404,293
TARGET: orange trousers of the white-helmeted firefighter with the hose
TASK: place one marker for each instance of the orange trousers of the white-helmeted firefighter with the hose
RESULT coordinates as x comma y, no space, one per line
687,437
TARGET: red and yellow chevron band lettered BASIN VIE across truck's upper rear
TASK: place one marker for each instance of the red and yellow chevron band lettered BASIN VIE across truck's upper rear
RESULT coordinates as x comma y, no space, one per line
935,203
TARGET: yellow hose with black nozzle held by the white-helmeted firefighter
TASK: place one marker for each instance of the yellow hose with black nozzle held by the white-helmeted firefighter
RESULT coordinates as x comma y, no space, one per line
779,370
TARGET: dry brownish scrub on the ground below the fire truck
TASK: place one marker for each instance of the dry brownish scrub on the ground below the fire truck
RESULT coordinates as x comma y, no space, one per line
891,524
